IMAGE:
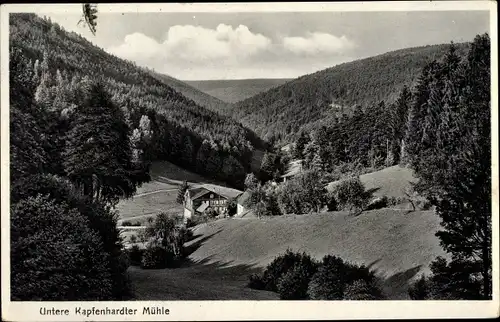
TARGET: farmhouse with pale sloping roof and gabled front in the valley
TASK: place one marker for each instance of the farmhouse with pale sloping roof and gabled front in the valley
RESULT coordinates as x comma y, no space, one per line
208,197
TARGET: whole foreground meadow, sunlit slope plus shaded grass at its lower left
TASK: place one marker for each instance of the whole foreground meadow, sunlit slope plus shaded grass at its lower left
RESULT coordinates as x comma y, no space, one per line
396,244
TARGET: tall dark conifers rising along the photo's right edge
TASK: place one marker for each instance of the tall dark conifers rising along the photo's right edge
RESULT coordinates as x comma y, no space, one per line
453,162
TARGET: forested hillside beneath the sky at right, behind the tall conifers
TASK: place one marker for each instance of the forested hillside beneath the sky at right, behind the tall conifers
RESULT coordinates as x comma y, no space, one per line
313,100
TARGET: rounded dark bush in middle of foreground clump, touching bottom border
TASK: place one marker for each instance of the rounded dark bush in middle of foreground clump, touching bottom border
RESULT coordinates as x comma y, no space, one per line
293,284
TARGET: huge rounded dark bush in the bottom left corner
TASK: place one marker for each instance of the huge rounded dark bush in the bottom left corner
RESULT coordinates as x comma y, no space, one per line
55,256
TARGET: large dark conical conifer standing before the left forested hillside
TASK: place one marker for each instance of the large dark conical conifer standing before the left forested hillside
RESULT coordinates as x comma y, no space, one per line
98,157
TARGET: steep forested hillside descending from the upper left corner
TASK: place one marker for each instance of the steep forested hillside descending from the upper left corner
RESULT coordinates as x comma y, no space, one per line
166,124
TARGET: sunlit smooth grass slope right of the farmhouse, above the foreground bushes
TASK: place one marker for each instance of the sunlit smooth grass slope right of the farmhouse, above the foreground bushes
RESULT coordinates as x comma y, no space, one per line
396,244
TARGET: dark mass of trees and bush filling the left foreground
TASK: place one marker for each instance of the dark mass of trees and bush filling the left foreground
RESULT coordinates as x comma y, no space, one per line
50,255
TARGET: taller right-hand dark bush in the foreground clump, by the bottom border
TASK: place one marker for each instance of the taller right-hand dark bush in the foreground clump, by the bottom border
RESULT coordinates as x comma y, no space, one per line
333,276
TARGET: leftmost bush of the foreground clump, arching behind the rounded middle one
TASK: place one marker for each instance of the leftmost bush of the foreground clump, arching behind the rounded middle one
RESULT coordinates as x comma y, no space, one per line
280,266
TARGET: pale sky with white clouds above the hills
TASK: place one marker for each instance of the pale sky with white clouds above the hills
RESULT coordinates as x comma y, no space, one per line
195,46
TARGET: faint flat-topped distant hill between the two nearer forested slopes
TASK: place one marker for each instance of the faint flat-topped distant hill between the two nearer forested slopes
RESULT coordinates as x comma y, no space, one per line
235,90
